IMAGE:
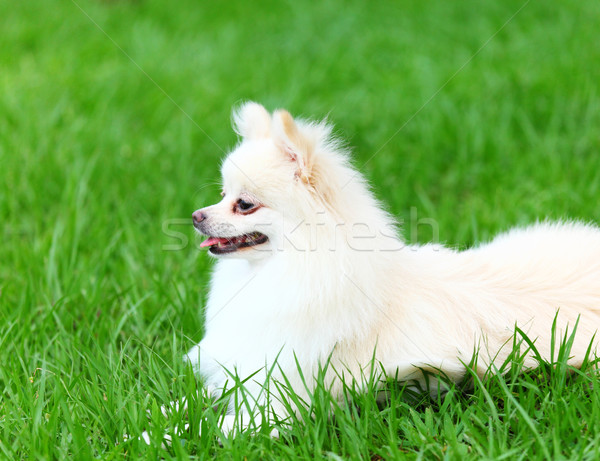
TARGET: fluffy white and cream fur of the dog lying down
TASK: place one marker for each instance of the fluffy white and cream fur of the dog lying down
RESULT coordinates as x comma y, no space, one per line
335,280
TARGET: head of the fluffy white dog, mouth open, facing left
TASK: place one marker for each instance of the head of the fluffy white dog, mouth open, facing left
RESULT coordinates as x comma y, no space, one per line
274,182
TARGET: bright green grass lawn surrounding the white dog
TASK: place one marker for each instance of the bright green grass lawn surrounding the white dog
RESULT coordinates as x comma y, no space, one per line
99,150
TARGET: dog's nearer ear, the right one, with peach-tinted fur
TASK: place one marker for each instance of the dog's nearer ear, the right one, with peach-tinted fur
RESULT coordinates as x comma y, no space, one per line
291,141
